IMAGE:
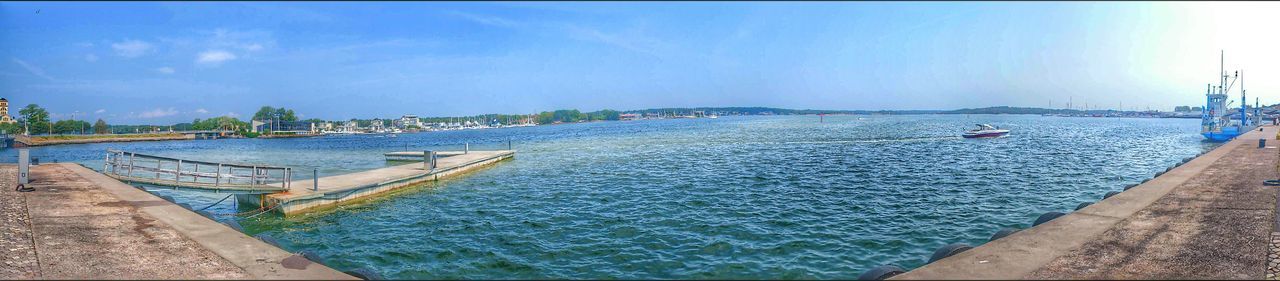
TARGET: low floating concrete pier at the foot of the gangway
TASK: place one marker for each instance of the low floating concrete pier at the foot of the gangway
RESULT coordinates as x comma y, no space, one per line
340,190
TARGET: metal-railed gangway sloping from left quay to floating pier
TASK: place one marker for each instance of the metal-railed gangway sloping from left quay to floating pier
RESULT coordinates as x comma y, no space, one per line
195,174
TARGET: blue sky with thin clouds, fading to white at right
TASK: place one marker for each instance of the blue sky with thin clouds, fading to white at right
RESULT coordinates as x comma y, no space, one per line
159,63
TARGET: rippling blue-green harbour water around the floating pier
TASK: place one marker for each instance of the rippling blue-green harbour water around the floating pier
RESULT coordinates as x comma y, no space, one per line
752,197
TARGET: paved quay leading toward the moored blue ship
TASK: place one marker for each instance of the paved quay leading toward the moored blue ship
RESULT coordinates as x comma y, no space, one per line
1209,219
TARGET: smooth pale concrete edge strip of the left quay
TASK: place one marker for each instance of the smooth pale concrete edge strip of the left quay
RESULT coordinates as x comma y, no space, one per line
258,259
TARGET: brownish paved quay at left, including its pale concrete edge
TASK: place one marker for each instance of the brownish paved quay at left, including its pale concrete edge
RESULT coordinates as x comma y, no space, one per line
80,224
